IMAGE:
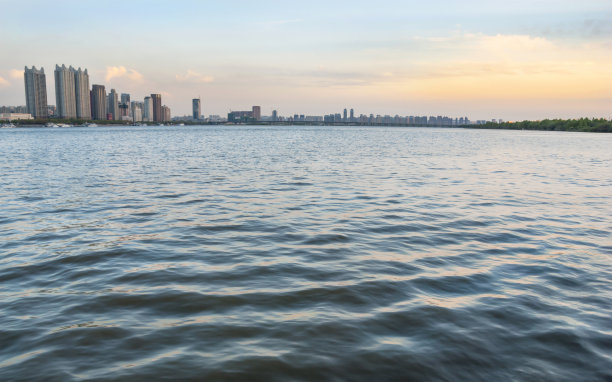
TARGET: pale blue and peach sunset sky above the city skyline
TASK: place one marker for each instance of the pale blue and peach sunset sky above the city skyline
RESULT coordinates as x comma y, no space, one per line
518,60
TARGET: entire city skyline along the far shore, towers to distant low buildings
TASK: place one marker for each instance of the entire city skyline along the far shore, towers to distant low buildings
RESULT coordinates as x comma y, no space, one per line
75,99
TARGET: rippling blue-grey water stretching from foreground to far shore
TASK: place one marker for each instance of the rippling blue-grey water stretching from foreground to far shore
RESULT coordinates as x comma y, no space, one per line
249,253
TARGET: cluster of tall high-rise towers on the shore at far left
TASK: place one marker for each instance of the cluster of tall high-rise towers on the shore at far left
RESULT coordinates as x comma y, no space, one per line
76,100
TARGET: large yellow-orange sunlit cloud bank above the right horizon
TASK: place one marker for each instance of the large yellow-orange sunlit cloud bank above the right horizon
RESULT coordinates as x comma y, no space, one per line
500,66
